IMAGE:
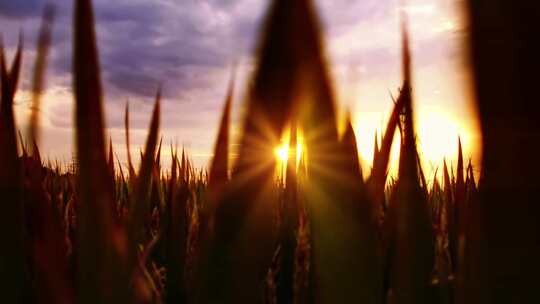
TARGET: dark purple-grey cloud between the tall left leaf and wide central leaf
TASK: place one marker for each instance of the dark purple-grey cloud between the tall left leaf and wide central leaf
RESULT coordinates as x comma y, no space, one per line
174,43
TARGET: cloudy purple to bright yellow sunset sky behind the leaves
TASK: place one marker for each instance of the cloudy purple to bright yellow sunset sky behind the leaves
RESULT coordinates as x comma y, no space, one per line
189,47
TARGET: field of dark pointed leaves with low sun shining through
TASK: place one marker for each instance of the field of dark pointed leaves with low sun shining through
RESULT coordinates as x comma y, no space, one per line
304,226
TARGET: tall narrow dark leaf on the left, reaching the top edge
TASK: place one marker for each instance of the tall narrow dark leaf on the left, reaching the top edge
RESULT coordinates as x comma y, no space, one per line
101,277
